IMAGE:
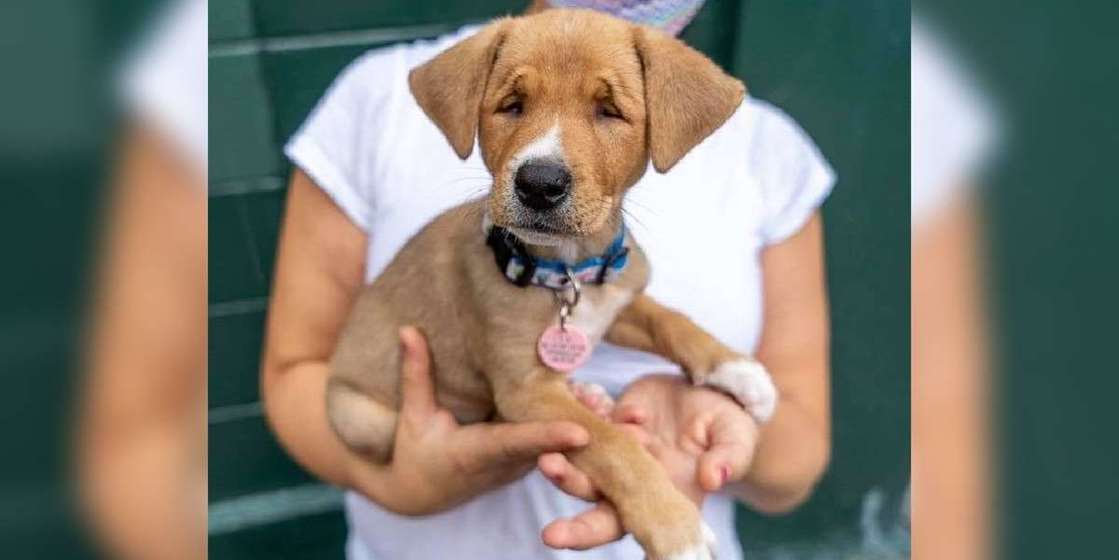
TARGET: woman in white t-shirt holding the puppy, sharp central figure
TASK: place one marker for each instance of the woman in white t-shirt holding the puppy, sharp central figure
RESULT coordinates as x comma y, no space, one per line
736,242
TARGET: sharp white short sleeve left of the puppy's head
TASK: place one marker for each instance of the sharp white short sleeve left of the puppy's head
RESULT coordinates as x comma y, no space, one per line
338,143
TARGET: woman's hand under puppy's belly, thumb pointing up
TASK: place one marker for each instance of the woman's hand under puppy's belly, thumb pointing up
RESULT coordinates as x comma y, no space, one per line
437,463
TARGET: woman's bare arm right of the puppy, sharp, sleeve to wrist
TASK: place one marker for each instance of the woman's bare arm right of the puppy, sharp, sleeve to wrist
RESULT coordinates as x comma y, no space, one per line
794,449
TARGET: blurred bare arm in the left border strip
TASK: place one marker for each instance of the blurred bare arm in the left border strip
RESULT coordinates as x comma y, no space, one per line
144,424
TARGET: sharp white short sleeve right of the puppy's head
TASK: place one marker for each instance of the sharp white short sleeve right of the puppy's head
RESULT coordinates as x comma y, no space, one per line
793,174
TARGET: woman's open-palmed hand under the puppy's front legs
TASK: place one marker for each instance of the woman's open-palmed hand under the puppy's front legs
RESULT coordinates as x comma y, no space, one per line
703,438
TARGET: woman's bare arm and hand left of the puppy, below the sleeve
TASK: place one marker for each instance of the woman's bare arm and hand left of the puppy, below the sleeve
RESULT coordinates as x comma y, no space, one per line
437,463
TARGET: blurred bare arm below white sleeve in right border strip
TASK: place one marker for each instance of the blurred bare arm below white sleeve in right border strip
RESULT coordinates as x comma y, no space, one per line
951,380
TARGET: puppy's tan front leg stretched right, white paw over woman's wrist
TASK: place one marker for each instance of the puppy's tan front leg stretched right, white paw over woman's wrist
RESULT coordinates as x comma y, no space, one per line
648,326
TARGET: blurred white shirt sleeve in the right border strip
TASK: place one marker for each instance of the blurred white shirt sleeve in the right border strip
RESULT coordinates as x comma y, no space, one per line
951,126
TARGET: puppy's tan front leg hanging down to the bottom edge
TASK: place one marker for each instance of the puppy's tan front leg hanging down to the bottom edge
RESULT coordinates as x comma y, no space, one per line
666,524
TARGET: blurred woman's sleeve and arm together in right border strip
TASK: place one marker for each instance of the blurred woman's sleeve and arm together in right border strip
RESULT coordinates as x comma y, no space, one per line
954,133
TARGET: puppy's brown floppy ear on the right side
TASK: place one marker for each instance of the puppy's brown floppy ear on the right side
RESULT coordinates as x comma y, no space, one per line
687,96
